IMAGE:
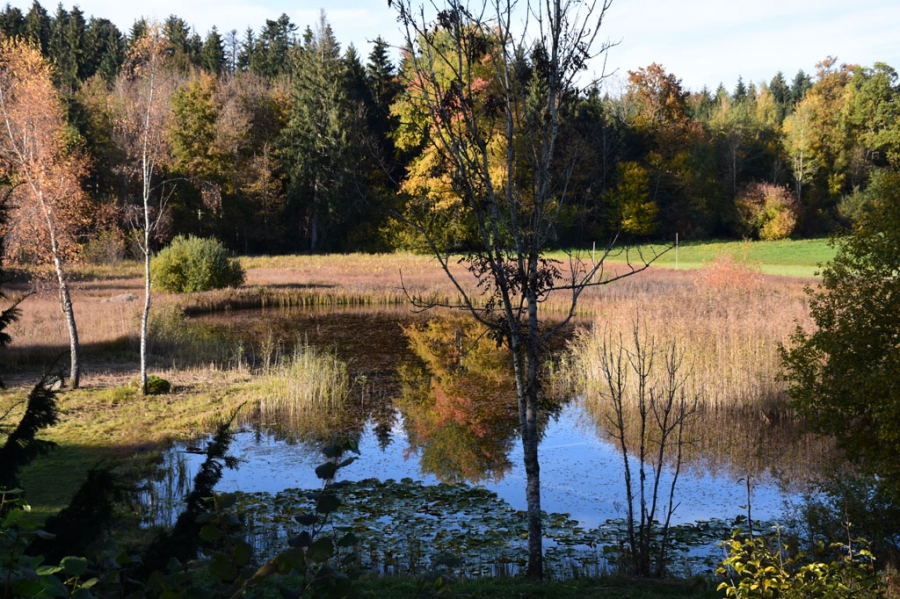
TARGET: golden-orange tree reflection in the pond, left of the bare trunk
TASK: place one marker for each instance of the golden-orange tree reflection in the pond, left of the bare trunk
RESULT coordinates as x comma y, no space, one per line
460,409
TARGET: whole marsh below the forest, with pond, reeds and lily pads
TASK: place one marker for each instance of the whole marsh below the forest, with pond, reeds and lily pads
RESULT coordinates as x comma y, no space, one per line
322,348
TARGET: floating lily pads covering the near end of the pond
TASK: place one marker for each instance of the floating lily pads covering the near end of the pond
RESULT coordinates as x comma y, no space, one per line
409,527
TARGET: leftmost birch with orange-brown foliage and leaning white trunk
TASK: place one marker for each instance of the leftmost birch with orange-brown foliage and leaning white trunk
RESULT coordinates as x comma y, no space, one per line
48,203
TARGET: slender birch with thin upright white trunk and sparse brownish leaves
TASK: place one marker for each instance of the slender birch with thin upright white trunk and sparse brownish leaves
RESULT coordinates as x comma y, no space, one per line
143,90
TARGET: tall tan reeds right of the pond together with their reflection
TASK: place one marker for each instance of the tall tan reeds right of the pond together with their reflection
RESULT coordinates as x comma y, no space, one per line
729,320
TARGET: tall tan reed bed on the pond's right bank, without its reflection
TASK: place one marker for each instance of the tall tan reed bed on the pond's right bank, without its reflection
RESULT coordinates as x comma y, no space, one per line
729,322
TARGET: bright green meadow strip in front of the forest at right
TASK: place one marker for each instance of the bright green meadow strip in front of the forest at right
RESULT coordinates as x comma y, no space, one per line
788,257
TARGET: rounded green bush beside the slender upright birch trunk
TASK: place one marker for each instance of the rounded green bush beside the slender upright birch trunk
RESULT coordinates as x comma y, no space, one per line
192,264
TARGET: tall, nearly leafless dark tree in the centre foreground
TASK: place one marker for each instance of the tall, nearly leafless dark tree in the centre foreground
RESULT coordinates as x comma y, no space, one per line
485,96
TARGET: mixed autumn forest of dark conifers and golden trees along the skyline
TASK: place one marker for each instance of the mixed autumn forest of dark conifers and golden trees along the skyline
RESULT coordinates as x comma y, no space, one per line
278,140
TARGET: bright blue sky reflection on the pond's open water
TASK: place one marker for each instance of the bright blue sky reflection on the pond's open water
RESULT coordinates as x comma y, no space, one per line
580,474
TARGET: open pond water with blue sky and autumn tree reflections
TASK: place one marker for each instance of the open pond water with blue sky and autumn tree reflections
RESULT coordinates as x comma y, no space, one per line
431,400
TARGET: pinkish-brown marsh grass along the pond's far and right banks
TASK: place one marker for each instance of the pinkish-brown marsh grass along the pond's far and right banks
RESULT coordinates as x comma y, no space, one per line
728,317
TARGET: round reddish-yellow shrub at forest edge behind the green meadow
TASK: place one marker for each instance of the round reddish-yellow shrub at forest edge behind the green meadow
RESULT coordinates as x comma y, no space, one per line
767,211
